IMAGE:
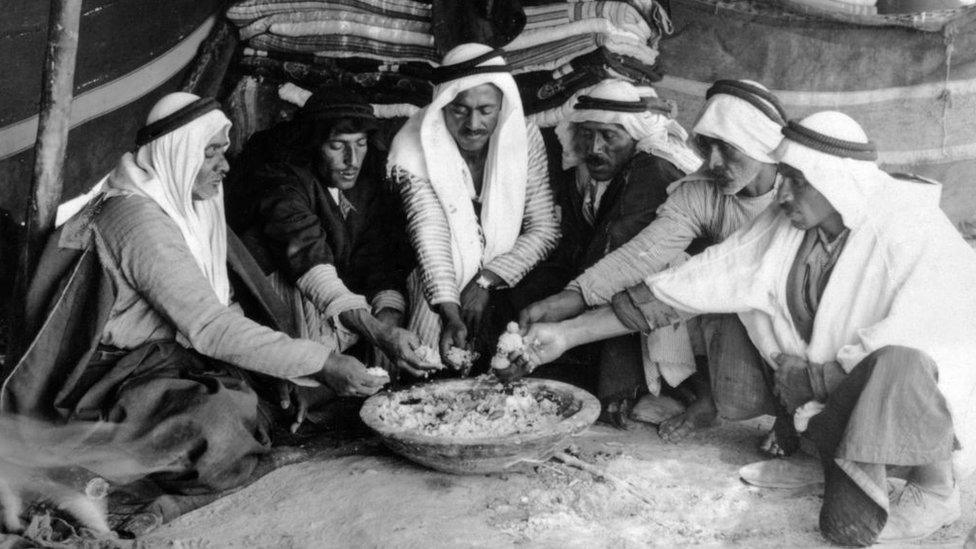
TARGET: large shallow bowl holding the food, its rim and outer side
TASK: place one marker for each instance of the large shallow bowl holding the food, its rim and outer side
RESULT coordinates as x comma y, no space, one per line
464,455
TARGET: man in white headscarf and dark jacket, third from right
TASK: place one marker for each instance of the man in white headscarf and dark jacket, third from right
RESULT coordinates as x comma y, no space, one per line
622,149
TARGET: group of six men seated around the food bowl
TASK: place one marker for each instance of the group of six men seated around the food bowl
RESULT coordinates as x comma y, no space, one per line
833,295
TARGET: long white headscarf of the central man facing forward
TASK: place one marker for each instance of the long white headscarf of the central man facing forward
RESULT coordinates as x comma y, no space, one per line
425,149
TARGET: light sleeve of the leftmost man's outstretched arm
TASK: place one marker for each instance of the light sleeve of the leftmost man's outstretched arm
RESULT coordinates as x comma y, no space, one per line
161,292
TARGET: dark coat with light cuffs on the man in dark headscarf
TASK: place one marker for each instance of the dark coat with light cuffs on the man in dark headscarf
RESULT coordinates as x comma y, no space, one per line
335,260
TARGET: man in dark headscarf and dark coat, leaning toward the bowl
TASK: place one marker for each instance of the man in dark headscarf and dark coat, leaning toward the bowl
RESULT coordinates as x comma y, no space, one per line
331,232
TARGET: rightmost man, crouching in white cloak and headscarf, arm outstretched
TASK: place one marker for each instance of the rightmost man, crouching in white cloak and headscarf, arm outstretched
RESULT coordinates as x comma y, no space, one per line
861,296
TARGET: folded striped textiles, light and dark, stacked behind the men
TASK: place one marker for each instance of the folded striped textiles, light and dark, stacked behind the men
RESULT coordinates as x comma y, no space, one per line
385,49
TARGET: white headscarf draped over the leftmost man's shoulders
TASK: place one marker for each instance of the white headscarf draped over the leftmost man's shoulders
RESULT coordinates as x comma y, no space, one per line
165,169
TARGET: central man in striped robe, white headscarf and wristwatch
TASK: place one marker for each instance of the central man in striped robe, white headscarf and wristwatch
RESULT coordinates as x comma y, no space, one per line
473,177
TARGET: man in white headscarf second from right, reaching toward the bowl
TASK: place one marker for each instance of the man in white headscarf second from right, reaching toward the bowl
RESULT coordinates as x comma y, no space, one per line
737,131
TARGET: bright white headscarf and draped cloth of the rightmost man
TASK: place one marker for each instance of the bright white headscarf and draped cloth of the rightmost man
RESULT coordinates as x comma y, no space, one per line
905,277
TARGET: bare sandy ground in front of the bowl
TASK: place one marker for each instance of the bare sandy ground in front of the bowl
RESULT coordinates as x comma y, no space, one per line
685,494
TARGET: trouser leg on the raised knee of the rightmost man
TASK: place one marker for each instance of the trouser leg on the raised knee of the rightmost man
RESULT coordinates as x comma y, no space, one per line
888,411
